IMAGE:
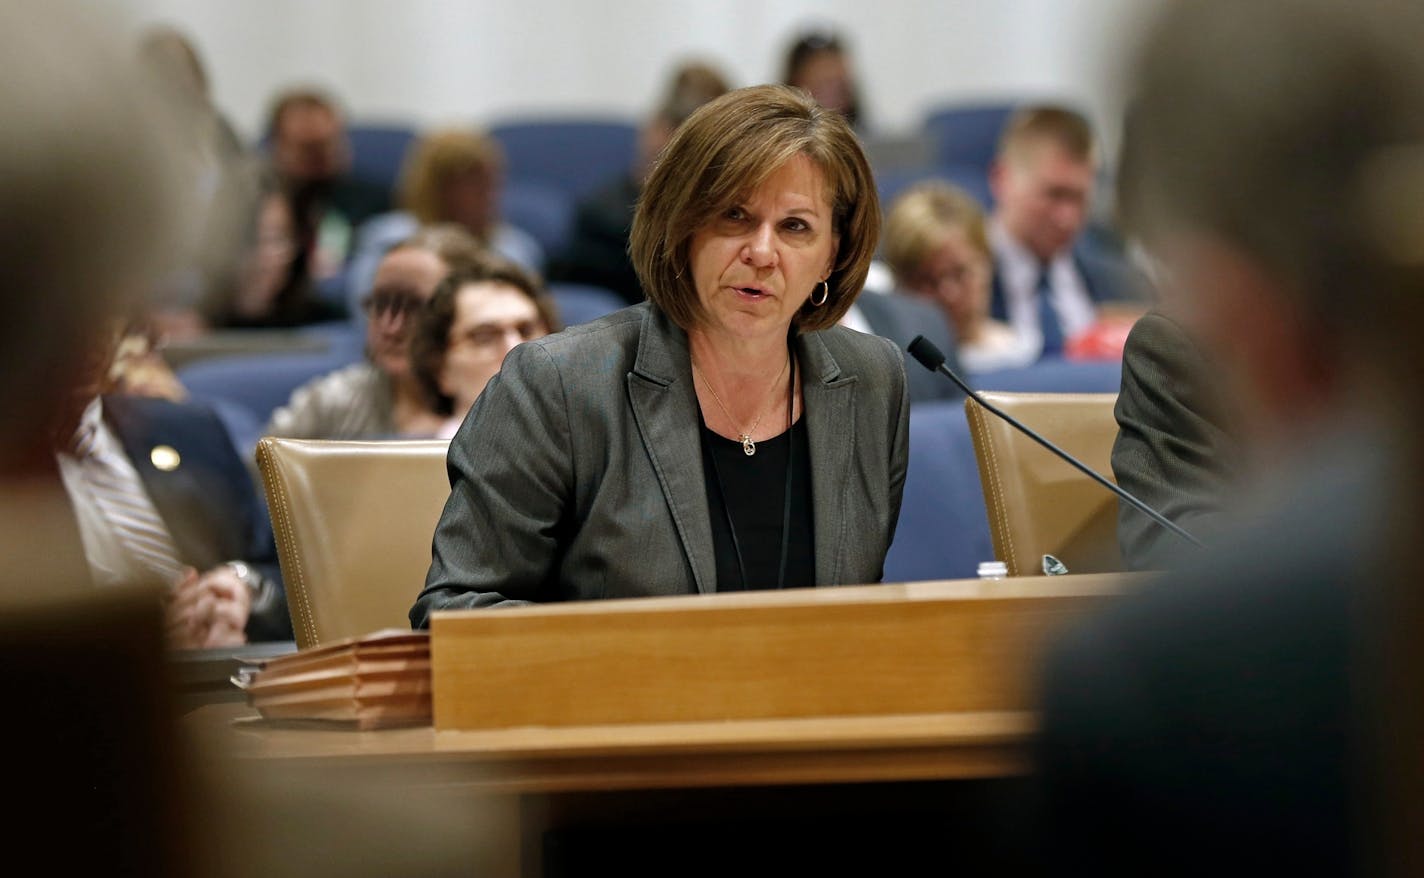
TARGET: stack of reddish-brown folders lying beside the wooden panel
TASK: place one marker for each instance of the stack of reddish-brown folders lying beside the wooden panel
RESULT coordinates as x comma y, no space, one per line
370,682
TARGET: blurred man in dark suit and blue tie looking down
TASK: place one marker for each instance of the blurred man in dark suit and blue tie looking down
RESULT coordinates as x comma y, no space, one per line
1046,287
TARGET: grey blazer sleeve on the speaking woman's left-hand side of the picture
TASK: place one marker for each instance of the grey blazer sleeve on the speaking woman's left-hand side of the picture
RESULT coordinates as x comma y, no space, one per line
503,531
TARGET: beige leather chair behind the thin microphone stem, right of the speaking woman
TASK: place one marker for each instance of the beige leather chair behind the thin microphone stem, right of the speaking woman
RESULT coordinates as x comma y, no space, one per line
1037,503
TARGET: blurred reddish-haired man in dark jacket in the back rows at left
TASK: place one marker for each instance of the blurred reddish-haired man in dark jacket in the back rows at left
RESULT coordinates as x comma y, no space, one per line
311,157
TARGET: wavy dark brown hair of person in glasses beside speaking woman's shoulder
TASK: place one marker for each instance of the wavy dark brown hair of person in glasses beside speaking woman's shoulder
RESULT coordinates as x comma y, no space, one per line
432,332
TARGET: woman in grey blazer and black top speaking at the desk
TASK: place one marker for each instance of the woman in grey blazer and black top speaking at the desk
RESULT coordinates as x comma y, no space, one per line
723,436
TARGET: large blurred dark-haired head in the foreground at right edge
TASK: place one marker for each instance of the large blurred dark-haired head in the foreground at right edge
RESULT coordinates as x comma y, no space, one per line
1274,160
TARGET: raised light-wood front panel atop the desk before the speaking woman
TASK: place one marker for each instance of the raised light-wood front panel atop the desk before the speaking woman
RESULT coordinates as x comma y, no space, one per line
882,651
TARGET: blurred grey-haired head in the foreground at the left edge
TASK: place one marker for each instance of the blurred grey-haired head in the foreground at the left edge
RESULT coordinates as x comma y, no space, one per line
88,208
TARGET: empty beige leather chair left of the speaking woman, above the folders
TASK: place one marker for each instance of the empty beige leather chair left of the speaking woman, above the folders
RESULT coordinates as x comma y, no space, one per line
354,524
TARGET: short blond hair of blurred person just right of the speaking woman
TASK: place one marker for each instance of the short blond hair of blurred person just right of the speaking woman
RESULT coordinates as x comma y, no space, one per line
921,218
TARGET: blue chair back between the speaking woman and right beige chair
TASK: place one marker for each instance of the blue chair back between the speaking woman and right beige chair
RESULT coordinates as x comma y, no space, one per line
943,531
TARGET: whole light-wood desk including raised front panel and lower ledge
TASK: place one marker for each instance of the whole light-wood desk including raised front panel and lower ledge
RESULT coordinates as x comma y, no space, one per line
640,712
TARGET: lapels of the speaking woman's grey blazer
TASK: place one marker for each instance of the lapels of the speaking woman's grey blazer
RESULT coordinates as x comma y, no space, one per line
666,408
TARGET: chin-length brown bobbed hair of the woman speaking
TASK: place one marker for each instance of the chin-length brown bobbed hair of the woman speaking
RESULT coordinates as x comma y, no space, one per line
721,154
